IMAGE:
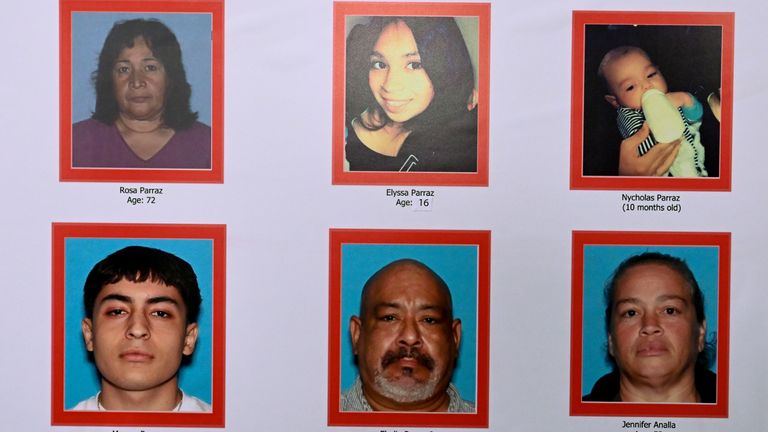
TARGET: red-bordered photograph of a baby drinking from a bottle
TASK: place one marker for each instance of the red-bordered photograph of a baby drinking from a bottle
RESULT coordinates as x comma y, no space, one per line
652,100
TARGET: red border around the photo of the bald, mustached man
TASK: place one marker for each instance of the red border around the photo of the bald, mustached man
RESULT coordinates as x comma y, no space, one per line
338,237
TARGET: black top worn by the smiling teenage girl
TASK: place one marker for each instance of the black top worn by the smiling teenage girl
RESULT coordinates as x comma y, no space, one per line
451,148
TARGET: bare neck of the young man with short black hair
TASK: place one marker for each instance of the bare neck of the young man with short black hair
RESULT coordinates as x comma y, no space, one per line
165,397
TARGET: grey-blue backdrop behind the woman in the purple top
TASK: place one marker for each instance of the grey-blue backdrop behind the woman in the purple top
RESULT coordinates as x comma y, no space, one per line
90,29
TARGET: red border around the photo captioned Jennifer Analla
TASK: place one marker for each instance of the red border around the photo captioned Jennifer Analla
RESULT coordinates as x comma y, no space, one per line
718,239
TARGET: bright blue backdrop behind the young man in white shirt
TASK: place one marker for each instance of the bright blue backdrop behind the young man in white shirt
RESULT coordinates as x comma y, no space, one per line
81,379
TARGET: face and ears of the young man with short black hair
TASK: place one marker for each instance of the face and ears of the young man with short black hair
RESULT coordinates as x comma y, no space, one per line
138,335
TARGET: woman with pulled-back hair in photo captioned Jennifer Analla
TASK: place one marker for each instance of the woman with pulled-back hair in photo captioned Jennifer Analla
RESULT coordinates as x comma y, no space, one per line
656,330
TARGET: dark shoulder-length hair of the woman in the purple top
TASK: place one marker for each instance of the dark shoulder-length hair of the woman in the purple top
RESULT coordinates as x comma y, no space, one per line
165,47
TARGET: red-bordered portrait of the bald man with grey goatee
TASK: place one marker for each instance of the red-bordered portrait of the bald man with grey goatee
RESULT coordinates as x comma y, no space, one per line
409,328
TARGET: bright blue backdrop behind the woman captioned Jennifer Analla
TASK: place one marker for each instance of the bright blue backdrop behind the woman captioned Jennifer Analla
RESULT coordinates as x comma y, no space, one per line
600,263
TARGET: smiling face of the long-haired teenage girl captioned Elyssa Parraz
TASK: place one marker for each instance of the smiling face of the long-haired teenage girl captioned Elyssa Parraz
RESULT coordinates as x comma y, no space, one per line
397,78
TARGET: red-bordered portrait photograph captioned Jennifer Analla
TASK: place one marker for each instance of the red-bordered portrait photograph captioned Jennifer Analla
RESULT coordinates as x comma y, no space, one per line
650,324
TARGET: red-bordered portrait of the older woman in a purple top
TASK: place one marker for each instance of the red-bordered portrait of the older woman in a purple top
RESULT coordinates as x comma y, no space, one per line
142,98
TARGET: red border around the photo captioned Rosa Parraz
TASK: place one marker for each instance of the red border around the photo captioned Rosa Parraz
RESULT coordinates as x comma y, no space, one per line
66,171
